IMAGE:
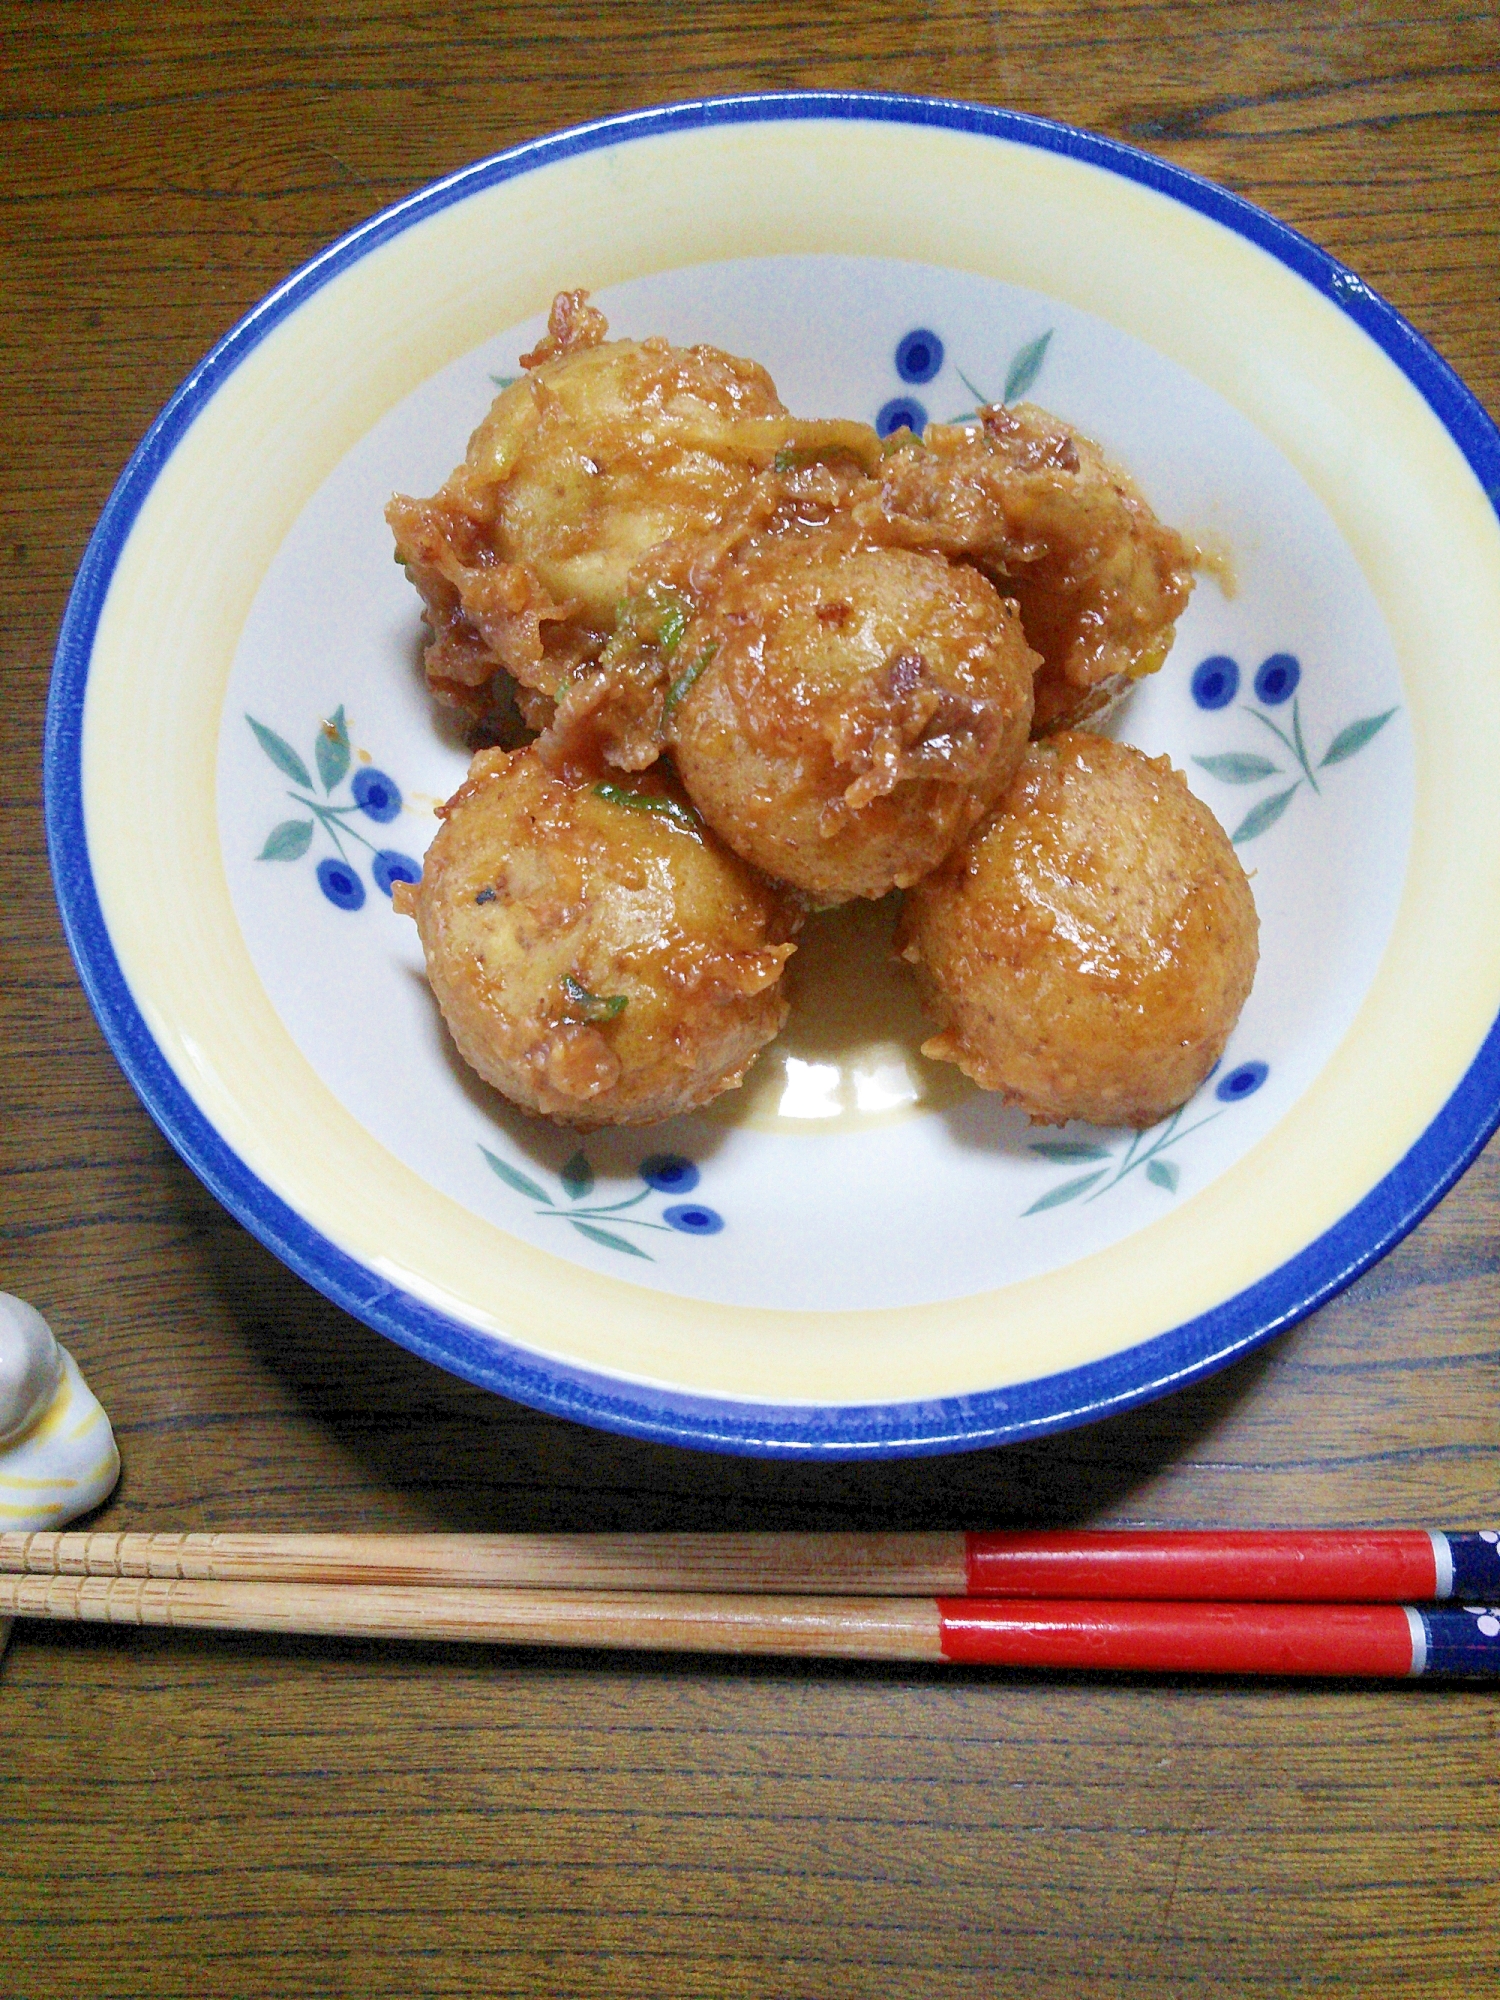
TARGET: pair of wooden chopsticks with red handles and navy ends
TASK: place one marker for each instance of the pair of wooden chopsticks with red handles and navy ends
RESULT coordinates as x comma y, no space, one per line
1351,1603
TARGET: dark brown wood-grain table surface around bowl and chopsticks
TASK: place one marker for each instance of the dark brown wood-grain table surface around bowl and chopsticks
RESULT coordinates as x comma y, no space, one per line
213,1817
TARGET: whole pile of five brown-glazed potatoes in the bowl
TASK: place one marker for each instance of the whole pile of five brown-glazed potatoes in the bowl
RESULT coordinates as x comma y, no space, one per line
825,653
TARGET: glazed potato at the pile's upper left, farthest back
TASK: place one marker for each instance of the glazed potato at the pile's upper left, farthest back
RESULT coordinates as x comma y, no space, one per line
595,455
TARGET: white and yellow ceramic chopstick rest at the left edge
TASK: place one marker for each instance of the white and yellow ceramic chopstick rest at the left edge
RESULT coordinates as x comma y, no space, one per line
57,1449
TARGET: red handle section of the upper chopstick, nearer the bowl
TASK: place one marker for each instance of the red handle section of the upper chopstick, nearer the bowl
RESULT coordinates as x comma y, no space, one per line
1335,1567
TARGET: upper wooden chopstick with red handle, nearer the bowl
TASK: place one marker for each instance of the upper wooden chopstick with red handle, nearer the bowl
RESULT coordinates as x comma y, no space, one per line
1333,1565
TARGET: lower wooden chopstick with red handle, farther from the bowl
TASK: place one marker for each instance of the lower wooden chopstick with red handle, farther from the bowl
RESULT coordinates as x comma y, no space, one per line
1107,1635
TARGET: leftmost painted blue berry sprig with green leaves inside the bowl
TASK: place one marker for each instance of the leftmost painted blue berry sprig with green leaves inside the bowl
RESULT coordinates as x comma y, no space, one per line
375,797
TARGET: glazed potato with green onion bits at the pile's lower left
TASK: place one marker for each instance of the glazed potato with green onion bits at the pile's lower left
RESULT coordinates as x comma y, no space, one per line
597,957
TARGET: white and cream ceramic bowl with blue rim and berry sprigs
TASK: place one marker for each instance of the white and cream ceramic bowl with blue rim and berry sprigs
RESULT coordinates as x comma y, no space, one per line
859,1253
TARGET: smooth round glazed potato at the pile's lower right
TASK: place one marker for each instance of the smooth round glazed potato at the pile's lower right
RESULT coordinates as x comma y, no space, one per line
1091,947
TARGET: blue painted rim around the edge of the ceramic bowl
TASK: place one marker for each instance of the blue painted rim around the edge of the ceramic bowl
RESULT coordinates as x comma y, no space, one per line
767,1431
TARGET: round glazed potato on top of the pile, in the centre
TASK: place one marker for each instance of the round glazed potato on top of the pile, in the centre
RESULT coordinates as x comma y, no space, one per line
845,715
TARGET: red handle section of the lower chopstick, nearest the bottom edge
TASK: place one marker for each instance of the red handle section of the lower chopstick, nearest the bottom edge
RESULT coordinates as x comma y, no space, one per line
1185,1639
